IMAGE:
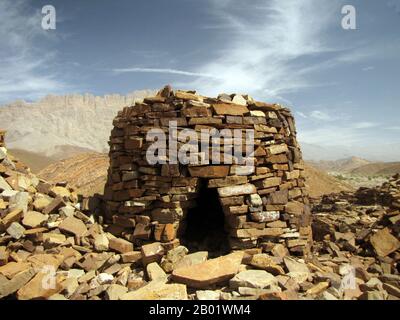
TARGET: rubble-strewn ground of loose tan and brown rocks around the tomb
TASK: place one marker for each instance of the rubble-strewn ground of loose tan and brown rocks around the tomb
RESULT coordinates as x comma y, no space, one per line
54,246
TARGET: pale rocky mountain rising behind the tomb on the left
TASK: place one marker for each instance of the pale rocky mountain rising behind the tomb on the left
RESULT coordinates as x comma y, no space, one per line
60,126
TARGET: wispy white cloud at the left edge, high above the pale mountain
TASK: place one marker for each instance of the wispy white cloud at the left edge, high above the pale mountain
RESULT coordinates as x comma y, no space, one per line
24,65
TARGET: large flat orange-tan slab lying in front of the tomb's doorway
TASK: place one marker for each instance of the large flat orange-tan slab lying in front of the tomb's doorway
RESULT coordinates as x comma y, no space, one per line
209,272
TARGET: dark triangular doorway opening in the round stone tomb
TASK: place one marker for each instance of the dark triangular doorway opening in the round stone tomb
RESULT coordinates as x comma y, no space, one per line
205,224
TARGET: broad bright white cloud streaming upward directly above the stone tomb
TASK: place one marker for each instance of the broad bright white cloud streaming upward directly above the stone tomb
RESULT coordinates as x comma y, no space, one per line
262,50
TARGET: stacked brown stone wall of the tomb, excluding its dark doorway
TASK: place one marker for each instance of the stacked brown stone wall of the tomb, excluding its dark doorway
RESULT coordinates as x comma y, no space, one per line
265,205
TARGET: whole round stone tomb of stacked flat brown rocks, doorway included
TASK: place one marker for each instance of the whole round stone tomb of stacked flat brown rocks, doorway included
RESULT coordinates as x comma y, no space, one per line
197,201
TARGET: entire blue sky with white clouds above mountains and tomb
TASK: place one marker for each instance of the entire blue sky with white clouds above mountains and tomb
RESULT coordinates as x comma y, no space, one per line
342,85
